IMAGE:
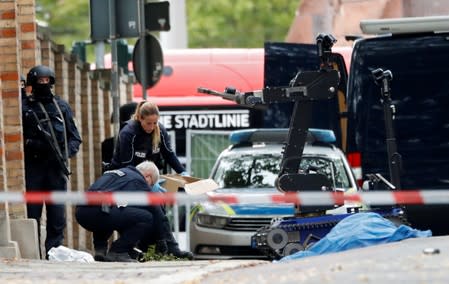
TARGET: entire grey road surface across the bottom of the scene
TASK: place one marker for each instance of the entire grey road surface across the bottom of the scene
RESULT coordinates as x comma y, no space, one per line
410,261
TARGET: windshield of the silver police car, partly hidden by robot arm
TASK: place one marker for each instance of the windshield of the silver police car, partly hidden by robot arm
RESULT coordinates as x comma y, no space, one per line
261,170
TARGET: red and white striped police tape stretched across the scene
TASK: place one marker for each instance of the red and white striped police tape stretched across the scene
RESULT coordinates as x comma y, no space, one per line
419,197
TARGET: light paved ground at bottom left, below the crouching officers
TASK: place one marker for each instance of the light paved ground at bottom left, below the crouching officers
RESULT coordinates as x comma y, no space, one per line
164,272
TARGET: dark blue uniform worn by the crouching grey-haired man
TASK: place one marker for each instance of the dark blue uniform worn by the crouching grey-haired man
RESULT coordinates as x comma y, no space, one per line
132,222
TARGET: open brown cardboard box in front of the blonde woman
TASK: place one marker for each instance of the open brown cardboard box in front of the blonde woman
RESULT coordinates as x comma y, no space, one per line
191,185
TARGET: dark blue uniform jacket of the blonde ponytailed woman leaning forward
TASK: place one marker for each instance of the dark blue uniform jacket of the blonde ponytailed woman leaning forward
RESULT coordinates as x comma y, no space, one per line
134,146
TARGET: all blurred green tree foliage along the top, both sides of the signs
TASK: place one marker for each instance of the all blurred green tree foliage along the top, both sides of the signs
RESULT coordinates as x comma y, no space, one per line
217,23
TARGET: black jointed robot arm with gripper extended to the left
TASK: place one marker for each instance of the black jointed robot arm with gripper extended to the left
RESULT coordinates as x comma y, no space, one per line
304,89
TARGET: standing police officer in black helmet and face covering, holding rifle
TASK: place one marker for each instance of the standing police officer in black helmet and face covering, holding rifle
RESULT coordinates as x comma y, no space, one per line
50,139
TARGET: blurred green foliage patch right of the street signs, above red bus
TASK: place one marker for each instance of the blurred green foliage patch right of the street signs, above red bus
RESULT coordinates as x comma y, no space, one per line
236,23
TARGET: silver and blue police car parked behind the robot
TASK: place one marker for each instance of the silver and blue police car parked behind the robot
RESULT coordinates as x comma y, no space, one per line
250,166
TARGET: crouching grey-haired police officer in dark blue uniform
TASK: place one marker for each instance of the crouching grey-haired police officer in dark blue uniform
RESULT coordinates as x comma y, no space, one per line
137,226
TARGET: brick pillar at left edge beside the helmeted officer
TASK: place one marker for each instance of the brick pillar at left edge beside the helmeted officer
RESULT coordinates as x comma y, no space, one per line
11,29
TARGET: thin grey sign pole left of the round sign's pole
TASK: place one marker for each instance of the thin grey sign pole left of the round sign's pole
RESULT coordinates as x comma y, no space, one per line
115,91
